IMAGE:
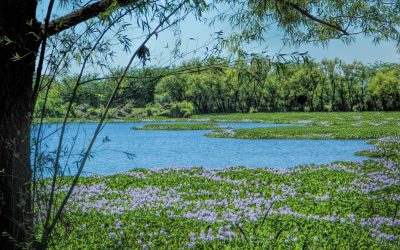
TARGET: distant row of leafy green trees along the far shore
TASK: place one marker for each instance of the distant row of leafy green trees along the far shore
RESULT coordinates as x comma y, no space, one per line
217,86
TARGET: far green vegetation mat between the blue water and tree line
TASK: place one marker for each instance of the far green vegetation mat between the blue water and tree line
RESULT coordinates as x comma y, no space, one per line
357,125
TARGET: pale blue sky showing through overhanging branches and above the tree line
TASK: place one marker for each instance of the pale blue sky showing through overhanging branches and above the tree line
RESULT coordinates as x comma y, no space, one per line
196,36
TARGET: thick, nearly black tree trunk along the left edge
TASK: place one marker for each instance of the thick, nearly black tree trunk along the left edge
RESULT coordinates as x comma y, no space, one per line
17,66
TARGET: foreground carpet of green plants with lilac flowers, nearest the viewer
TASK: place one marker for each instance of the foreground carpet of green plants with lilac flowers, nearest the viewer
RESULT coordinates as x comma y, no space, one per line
343,205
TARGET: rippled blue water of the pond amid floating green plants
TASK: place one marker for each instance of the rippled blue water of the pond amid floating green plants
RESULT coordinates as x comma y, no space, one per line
119,148
